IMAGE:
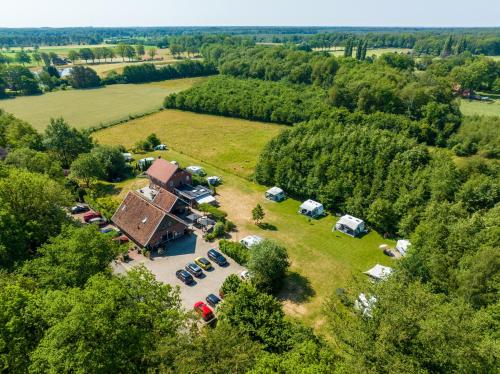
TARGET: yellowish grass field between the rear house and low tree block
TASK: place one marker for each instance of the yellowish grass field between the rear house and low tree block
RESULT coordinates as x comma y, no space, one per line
230,144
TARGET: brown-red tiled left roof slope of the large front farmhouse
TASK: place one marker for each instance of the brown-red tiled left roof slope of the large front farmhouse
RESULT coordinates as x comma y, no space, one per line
138,218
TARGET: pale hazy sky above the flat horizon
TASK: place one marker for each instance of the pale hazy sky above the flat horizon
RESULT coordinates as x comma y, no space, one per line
113,13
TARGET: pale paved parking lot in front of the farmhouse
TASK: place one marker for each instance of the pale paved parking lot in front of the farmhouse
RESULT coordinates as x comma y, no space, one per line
178,254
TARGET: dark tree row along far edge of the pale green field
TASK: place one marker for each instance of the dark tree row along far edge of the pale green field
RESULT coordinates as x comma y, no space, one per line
151,73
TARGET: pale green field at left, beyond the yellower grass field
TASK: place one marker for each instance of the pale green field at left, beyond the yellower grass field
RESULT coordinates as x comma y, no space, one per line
87,108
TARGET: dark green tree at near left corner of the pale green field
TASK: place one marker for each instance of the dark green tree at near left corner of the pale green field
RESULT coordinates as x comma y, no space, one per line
66,142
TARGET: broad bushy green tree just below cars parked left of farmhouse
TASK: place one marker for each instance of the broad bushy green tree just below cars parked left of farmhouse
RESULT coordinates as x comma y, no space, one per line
72,257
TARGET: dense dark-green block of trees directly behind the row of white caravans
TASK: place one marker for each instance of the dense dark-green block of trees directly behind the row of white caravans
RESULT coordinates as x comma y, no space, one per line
378,175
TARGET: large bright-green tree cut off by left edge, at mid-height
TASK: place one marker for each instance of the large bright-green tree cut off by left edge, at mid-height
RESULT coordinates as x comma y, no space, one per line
31,210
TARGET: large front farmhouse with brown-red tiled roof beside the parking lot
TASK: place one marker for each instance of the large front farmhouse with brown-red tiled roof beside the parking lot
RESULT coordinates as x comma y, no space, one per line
150,223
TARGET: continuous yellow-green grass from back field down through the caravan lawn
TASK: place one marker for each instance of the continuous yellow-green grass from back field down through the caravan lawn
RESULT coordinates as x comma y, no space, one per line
321,260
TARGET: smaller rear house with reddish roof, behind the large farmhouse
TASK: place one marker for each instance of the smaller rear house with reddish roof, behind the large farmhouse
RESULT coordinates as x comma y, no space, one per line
167,175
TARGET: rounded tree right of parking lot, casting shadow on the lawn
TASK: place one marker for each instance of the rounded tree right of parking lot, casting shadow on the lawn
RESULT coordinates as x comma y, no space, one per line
268,265
